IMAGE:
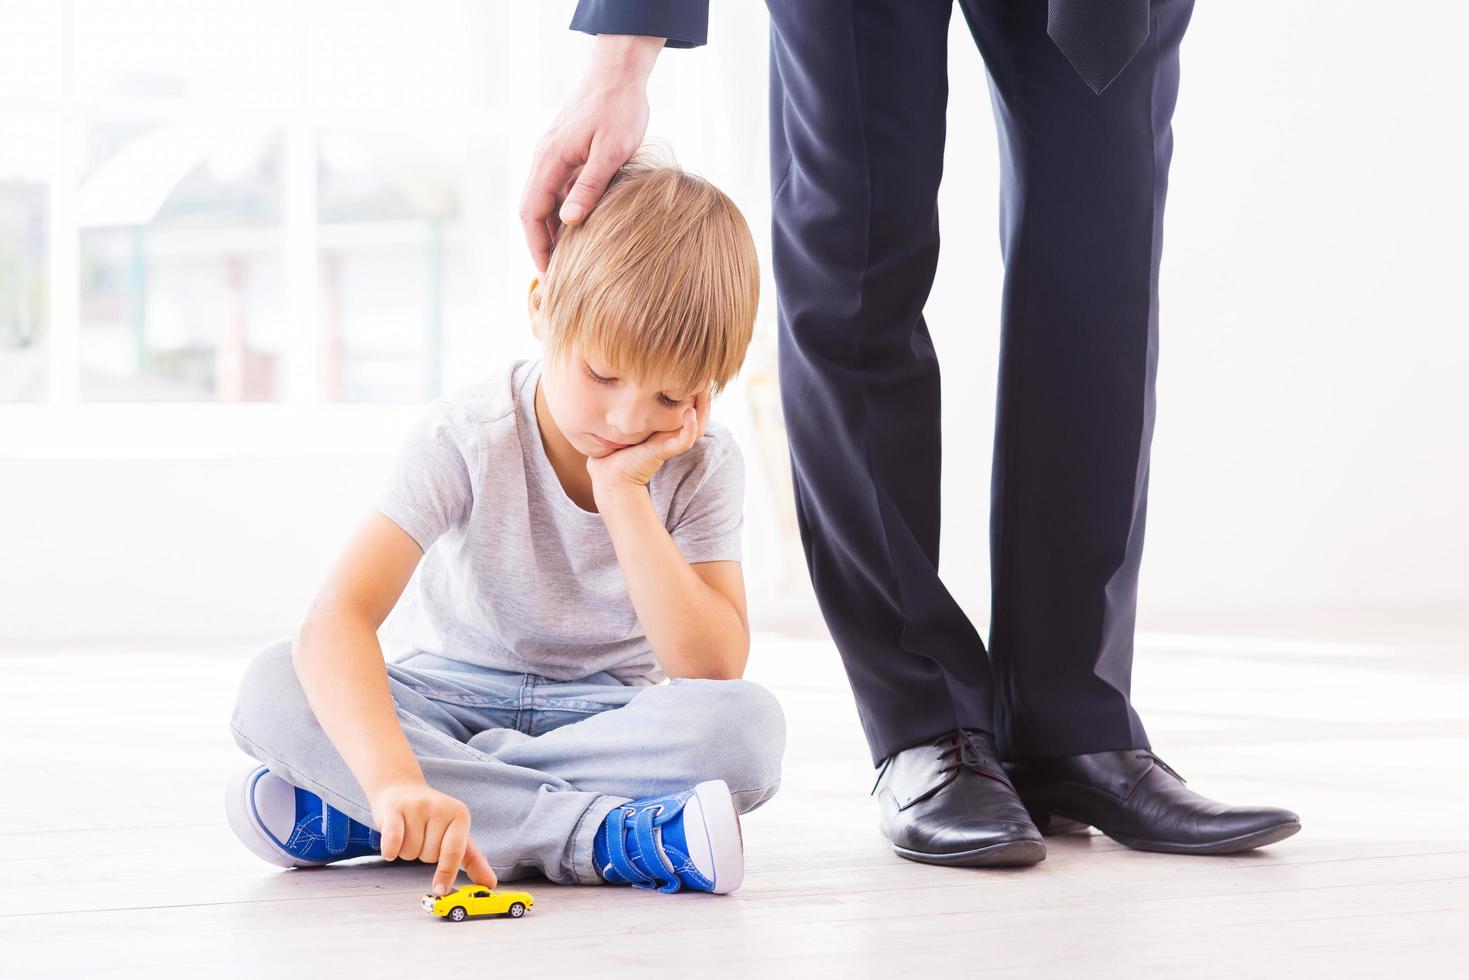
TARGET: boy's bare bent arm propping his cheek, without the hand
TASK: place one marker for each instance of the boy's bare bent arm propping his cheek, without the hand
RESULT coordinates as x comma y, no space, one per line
694,615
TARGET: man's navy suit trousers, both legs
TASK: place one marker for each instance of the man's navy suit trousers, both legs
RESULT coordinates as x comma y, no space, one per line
859,102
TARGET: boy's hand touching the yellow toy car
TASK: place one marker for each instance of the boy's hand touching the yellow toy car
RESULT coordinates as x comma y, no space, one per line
421,824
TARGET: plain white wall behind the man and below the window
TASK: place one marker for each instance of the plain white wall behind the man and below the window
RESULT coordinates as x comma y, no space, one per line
1311,436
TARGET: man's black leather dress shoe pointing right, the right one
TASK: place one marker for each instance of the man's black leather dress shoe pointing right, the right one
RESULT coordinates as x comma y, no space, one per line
1138,800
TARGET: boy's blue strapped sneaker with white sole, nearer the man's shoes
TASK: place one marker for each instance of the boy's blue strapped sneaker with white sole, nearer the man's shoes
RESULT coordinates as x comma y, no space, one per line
690,840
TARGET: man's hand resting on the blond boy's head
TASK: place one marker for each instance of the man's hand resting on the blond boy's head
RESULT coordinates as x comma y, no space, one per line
599,130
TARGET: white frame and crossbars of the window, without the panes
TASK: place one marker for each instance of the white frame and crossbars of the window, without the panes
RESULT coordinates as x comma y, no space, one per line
300,422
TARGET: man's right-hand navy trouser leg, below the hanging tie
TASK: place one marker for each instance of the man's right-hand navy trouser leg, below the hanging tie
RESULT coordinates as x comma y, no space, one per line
1082,218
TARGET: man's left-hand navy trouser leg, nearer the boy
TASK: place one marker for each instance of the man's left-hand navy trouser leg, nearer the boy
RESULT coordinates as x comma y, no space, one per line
859,98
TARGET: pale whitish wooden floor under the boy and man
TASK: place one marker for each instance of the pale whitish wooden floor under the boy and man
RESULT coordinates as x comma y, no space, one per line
115,857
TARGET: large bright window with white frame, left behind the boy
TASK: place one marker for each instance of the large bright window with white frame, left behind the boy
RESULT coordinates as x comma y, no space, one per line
255,201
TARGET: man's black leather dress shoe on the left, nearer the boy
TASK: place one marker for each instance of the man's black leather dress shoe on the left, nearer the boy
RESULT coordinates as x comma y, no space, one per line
950,803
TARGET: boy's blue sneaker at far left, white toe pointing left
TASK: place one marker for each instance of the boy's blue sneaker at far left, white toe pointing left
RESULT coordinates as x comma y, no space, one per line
290,826
